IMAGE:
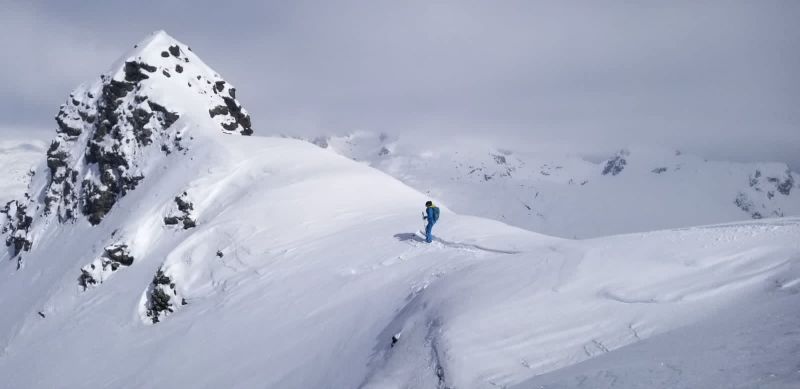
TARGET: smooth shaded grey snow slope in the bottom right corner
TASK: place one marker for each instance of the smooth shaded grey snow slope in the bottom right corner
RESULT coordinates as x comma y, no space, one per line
752,344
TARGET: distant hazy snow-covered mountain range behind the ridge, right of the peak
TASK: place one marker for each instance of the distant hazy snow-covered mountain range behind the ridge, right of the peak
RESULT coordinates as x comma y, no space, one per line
569,195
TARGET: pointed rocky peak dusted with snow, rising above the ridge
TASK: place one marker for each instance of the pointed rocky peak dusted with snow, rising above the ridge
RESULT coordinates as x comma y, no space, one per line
109,131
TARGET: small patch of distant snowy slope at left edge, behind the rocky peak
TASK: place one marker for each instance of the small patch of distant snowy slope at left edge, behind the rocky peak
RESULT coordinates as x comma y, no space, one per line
18,158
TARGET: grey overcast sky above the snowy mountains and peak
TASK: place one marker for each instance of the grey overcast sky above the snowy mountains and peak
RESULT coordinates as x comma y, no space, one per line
719,78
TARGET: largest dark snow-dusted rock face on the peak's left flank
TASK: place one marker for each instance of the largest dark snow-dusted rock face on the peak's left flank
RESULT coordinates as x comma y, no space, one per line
120,121
